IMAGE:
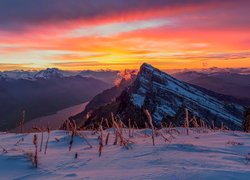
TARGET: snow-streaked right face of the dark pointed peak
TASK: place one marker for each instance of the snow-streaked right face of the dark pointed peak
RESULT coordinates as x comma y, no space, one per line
166,94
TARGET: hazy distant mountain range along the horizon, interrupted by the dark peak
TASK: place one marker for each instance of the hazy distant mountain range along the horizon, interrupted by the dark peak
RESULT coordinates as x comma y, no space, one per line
229,81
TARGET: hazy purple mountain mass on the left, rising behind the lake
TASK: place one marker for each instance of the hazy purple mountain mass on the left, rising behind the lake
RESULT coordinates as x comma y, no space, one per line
42,93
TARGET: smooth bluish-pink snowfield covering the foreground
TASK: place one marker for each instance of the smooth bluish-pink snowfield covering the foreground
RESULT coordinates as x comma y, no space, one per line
203,154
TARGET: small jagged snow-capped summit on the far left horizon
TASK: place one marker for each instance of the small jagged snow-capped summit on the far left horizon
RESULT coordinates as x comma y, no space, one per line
49,73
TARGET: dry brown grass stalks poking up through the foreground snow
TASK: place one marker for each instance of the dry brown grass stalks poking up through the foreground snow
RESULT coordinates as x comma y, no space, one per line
122,137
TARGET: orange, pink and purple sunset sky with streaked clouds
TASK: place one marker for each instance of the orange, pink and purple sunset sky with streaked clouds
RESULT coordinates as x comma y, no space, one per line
118,34
